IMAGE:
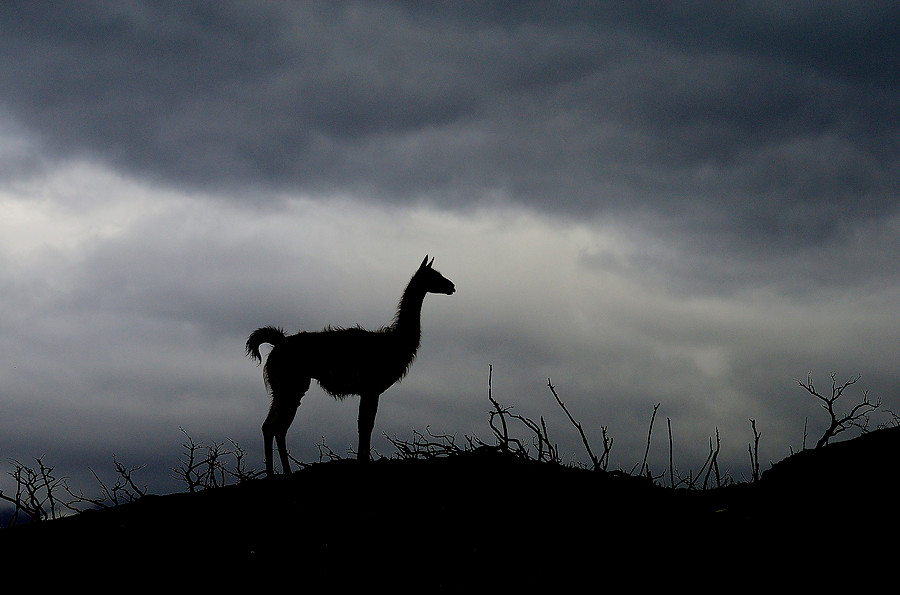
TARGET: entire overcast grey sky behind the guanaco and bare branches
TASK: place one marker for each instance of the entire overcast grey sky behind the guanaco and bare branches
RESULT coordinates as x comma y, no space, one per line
686,204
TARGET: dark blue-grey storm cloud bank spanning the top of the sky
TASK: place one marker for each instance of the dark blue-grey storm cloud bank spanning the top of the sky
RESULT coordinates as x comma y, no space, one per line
755,128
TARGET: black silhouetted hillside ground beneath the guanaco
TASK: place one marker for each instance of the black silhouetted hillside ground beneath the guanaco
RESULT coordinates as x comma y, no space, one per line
478,520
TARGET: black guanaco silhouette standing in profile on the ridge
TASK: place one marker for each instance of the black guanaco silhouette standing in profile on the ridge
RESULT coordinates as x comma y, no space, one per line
344,361
